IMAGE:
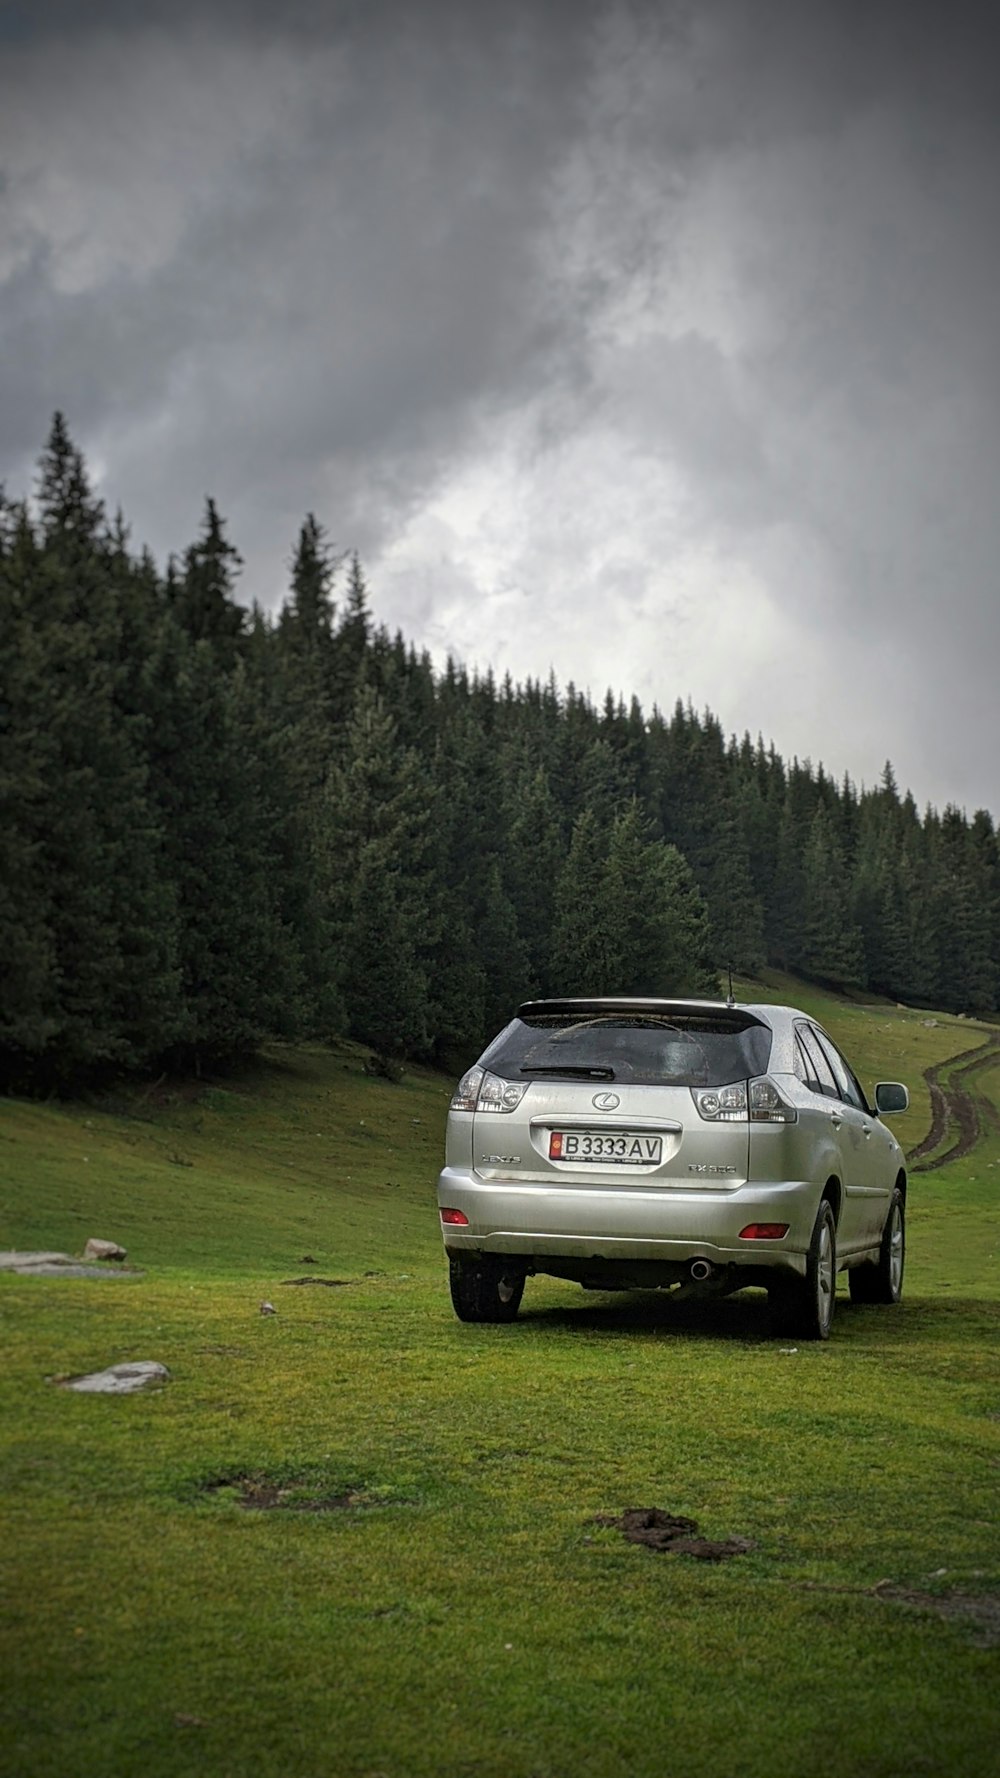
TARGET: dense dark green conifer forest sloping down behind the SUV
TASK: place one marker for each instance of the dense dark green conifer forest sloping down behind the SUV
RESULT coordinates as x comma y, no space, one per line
222,826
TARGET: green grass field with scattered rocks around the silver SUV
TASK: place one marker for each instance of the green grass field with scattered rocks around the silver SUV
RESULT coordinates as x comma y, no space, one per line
458,1612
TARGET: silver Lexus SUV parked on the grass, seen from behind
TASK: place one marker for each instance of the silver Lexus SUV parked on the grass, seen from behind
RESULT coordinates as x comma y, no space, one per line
636,1144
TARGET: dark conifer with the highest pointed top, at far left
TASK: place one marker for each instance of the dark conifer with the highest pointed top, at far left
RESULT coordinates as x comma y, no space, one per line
99,952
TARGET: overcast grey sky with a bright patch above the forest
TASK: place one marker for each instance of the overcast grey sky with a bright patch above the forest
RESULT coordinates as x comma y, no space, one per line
652,344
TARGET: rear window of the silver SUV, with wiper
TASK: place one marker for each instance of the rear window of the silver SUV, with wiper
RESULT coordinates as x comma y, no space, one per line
649,1050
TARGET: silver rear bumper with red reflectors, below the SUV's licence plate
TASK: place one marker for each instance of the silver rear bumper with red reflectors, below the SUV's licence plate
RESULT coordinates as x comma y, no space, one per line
670,1228
